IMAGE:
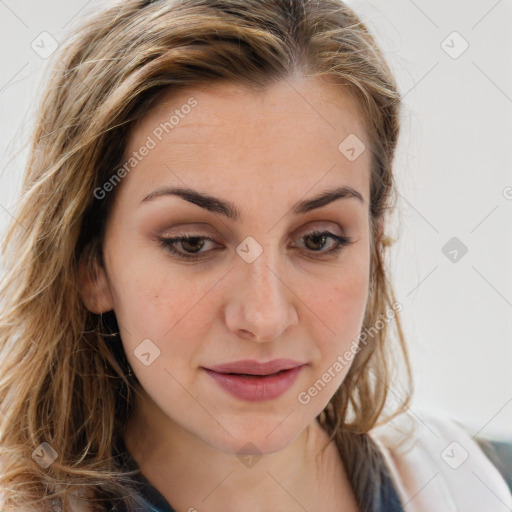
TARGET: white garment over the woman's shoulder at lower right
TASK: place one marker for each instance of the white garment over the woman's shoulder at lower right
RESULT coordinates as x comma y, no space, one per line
439,467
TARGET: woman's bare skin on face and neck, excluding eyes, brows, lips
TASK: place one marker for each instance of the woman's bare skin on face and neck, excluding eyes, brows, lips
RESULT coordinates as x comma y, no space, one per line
263,152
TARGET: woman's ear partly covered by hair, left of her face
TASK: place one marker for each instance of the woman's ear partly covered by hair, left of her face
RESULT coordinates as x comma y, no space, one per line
93,286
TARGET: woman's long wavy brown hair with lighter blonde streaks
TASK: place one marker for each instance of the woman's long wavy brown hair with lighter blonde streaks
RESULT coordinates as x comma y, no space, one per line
63,378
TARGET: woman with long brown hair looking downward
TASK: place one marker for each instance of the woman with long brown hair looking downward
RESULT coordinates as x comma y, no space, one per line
197,314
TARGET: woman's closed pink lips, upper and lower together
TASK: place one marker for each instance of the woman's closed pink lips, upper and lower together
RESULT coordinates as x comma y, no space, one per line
253,381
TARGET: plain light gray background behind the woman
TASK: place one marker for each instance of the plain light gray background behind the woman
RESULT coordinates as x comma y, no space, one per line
454,177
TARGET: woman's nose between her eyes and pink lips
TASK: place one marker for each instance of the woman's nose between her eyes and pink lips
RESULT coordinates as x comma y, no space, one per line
262,305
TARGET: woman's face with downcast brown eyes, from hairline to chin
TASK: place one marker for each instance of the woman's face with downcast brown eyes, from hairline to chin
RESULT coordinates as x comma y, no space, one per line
260,285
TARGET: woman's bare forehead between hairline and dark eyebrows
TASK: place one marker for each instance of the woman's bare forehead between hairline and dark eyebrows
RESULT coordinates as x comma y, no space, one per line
288,134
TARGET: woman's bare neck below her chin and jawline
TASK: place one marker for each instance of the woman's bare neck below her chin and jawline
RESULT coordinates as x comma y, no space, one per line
192,474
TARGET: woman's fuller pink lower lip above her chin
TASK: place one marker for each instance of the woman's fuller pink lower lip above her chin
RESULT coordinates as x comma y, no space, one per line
257,388
